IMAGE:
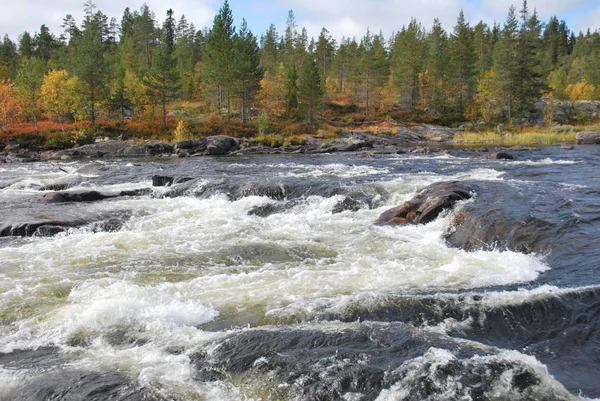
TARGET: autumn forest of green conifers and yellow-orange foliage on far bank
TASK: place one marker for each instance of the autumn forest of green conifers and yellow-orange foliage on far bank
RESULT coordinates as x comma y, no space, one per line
142,77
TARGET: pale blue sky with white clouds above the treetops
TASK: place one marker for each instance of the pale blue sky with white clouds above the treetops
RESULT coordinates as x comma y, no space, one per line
349,18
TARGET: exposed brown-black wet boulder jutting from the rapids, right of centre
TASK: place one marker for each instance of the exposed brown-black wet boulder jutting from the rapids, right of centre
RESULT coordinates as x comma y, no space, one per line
427,204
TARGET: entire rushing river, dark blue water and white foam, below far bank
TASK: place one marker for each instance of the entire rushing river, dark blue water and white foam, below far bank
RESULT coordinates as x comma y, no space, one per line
265,278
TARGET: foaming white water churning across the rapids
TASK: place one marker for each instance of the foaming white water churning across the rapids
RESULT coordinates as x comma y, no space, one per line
180,263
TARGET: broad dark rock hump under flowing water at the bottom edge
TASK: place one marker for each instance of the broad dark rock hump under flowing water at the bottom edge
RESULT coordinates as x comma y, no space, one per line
370,359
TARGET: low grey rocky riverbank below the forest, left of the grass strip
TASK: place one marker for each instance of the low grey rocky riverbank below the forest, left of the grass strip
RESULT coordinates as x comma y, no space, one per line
415,139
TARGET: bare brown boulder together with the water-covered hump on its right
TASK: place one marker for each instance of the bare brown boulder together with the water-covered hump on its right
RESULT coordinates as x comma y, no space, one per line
487,222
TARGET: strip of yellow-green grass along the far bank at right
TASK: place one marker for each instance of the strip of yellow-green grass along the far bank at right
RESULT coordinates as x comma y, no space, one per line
524,138
